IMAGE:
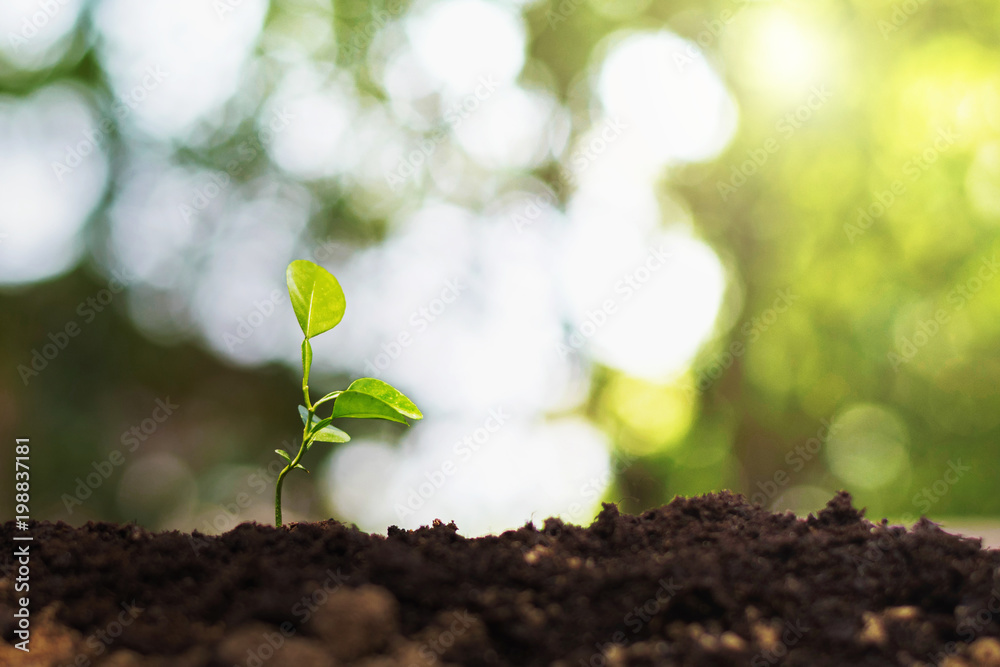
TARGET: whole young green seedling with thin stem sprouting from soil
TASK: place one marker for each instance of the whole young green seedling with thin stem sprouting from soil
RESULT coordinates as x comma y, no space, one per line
318,302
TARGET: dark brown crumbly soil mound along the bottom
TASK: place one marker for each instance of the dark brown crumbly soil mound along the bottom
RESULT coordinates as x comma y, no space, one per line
701,581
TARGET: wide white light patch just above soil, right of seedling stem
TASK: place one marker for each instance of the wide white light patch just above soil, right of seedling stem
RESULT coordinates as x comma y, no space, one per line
485,475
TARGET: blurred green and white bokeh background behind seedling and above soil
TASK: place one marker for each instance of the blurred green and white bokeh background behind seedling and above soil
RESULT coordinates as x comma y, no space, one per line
615,251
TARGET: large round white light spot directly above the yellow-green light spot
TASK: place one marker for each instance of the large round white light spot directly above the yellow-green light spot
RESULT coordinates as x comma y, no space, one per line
643,302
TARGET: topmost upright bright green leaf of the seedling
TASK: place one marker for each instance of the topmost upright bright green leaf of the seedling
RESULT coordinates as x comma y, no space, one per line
317,298
